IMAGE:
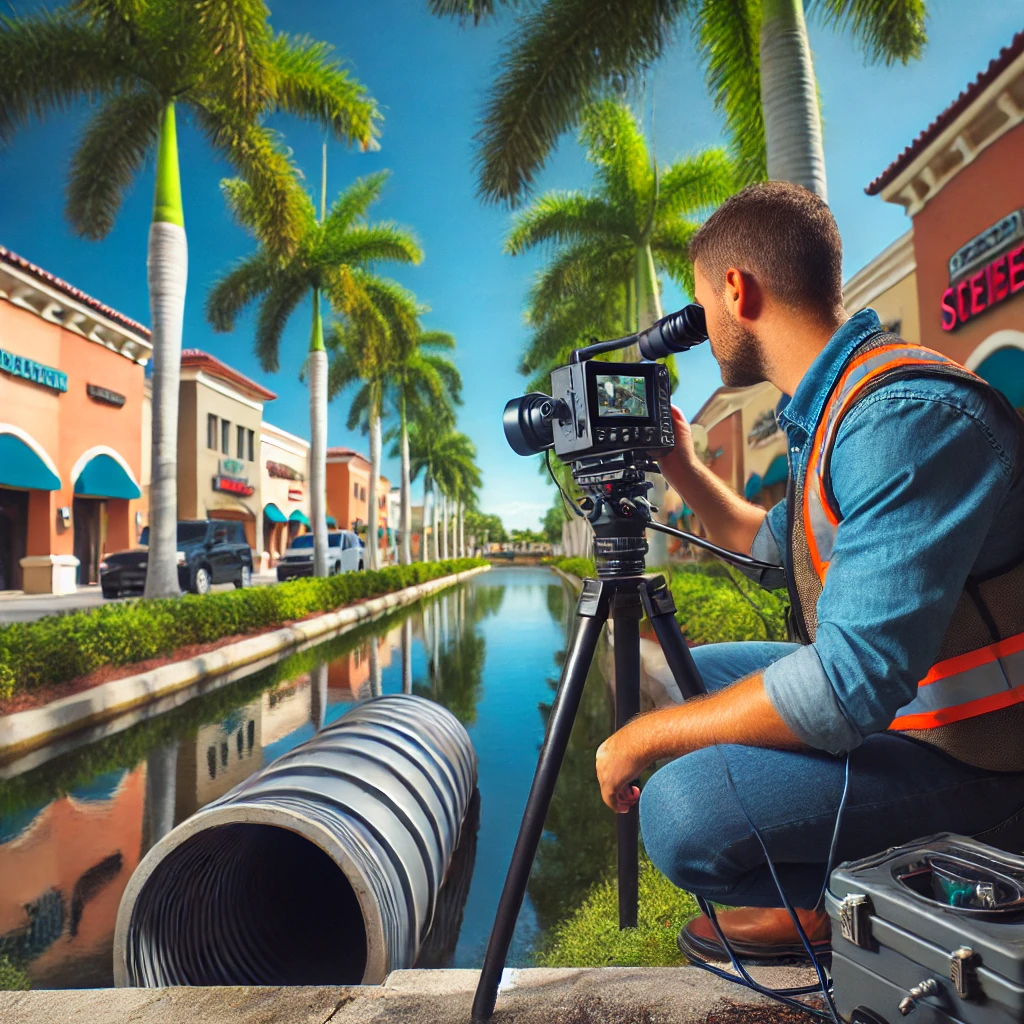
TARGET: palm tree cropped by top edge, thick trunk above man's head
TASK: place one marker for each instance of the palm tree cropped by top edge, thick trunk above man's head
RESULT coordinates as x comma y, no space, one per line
757,66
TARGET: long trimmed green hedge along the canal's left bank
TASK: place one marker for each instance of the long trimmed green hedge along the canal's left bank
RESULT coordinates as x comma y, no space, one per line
58,649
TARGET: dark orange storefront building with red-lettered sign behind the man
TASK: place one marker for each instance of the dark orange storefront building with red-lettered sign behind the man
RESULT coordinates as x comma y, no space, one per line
961,183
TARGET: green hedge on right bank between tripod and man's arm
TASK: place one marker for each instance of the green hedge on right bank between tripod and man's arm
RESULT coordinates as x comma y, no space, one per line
713,604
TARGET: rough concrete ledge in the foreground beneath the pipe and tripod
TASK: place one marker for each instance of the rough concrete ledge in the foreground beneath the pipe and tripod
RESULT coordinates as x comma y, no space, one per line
587,996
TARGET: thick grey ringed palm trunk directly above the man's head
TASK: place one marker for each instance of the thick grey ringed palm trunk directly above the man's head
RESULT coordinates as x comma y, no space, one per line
789,98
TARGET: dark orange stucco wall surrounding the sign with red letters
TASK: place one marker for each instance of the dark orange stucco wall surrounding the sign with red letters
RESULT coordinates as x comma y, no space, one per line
975,199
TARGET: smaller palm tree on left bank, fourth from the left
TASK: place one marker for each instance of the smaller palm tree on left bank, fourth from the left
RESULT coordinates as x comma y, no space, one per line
424,383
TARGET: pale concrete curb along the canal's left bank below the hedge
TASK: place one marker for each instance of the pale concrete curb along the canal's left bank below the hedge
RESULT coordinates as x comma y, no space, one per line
27,731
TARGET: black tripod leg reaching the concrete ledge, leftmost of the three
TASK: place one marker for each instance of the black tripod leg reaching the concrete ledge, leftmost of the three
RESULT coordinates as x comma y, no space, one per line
592,613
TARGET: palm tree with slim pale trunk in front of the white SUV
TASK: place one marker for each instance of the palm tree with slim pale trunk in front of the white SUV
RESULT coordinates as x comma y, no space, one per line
334,258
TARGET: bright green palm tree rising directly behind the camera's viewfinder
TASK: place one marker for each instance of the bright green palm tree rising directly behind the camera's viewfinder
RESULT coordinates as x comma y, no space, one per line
638,221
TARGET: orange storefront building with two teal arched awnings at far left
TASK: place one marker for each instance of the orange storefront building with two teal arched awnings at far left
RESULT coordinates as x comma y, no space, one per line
72,377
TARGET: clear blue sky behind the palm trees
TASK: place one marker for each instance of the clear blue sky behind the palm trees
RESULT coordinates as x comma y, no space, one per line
431,78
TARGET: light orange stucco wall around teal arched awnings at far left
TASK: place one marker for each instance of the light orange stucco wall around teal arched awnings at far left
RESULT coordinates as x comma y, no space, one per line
67,425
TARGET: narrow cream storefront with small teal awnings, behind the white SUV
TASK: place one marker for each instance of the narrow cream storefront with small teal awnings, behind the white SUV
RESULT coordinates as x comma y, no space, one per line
285,490
